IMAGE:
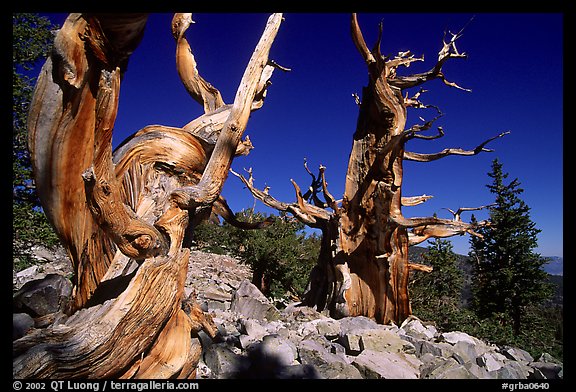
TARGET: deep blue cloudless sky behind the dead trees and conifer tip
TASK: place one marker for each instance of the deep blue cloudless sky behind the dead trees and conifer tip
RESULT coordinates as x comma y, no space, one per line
514,69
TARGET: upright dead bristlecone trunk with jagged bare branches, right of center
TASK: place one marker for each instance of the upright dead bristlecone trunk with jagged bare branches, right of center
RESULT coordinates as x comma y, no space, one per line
363,267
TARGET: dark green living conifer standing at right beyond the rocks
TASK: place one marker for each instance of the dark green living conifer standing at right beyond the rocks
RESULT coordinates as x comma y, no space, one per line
508,274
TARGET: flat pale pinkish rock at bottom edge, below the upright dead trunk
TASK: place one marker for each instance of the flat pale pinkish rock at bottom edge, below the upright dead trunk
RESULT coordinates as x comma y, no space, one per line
373,364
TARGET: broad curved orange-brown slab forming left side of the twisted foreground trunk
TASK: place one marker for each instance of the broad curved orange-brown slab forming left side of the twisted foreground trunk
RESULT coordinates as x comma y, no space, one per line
61,125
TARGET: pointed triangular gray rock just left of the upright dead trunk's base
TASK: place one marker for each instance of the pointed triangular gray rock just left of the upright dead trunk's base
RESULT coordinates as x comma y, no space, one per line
251,303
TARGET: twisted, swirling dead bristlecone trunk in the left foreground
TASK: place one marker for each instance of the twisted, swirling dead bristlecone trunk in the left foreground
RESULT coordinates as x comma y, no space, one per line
122,215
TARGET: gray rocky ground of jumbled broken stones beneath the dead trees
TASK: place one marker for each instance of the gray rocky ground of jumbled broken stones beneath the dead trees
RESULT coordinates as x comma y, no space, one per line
257,339
